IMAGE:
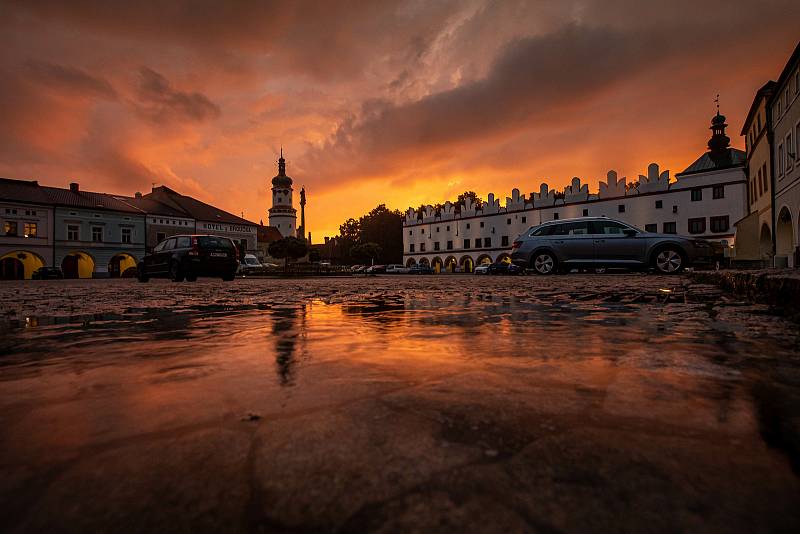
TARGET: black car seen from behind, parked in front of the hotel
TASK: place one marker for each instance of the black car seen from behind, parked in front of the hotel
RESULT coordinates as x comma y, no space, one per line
190,256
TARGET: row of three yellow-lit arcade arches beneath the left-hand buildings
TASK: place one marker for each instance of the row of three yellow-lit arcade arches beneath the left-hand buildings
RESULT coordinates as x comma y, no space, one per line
22,264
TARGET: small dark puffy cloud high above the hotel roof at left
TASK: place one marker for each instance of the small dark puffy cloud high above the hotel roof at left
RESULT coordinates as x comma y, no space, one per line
160,102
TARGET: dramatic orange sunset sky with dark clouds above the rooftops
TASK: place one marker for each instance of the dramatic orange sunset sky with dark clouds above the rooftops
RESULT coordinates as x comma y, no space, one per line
374,101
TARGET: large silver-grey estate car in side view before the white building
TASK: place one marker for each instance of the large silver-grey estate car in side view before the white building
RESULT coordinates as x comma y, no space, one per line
597,242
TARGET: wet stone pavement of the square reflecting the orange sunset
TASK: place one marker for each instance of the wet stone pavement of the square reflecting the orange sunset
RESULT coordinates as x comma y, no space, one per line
449,403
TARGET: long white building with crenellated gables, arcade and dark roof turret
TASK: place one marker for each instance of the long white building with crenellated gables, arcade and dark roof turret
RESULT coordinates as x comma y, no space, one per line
704,201
